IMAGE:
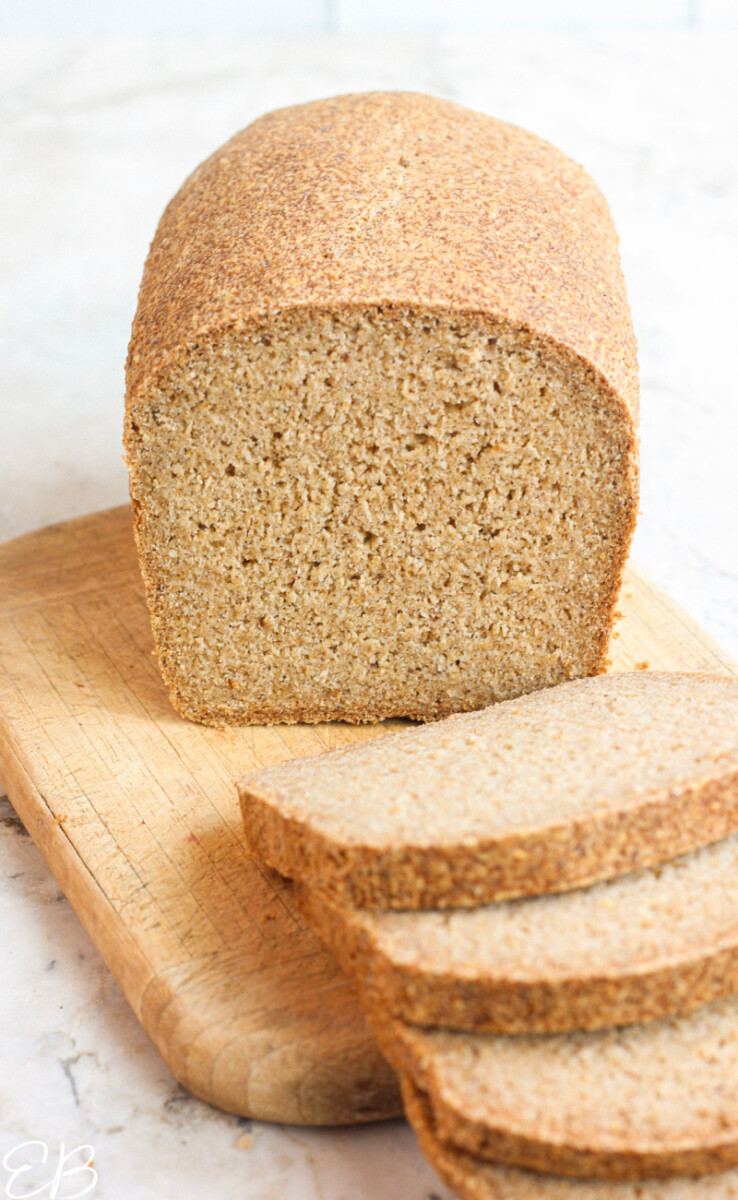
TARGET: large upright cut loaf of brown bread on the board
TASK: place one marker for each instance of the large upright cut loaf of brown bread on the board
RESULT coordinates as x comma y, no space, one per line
381,418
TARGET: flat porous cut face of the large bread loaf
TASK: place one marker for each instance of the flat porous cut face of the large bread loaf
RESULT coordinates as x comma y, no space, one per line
379,513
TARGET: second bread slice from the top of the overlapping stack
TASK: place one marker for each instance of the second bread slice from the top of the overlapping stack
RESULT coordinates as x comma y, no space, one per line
650,945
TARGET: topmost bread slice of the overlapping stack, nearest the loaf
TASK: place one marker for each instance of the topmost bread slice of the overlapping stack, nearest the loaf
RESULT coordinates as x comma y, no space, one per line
547,793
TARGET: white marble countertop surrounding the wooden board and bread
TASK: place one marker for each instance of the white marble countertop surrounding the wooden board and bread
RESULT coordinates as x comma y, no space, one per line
94,141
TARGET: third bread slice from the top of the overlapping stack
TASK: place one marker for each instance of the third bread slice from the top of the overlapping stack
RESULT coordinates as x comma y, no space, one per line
635,1102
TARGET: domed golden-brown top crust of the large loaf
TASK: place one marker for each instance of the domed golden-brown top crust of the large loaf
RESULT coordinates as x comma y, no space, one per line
299,212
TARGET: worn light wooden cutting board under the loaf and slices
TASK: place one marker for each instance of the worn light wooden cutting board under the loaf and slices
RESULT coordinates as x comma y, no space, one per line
136,814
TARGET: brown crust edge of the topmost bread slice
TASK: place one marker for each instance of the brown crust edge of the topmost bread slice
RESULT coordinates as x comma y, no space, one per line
553,859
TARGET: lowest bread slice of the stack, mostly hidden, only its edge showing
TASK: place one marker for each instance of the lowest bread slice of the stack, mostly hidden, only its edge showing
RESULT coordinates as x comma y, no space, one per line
477,1180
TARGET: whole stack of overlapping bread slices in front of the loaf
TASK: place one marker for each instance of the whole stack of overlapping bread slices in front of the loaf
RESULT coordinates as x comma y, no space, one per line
539,907
